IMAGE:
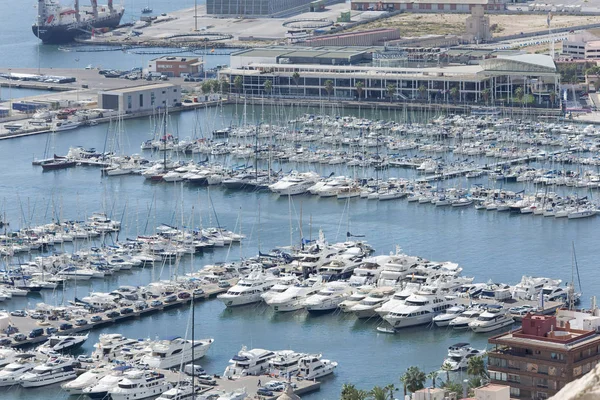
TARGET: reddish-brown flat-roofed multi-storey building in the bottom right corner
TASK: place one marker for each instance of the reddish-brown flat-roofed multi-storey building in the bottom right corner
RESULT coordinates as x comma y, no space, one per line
545,354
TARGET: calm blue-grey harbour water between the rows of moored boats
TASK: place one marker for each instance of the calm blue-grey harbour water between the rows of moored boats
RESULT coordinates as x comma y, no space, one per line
488,245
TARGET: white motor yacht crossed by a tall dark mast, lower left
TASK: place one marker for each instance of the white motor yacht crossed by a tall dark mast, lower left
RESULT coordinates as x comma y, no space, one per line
173,351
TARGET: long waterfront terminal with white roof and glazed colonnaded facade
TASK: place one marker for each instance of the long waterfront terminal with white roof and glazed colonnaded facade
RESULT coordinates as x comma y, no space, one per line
496,77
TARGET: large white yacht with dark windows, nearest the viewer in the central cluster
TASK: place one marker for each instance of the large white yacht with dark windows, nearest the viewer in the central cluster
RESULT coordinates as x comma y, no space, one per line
419,309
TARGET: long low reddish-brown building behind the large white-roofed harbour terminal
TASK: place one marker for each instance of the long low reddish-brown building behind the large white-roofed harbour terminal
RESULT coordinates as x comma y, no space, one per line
374,37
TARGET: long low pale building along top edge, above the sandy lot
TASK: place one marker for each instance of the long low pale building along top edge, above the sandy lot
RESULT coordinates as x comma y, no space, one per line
435,6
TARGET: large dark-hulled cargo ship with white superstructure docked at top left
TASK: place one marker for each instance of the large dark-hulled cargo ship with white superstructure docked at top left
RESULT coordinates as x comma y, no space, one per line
56,24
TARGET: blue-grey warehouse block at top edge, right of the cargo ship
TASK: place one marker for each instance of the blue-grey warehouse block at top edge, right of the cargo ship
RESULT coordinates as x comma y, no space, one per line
237,8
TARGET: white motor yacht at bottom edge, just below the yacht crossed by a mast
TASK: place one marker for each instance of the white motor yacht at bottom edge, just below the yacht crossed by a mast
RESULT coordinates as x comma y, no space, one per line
140,385
